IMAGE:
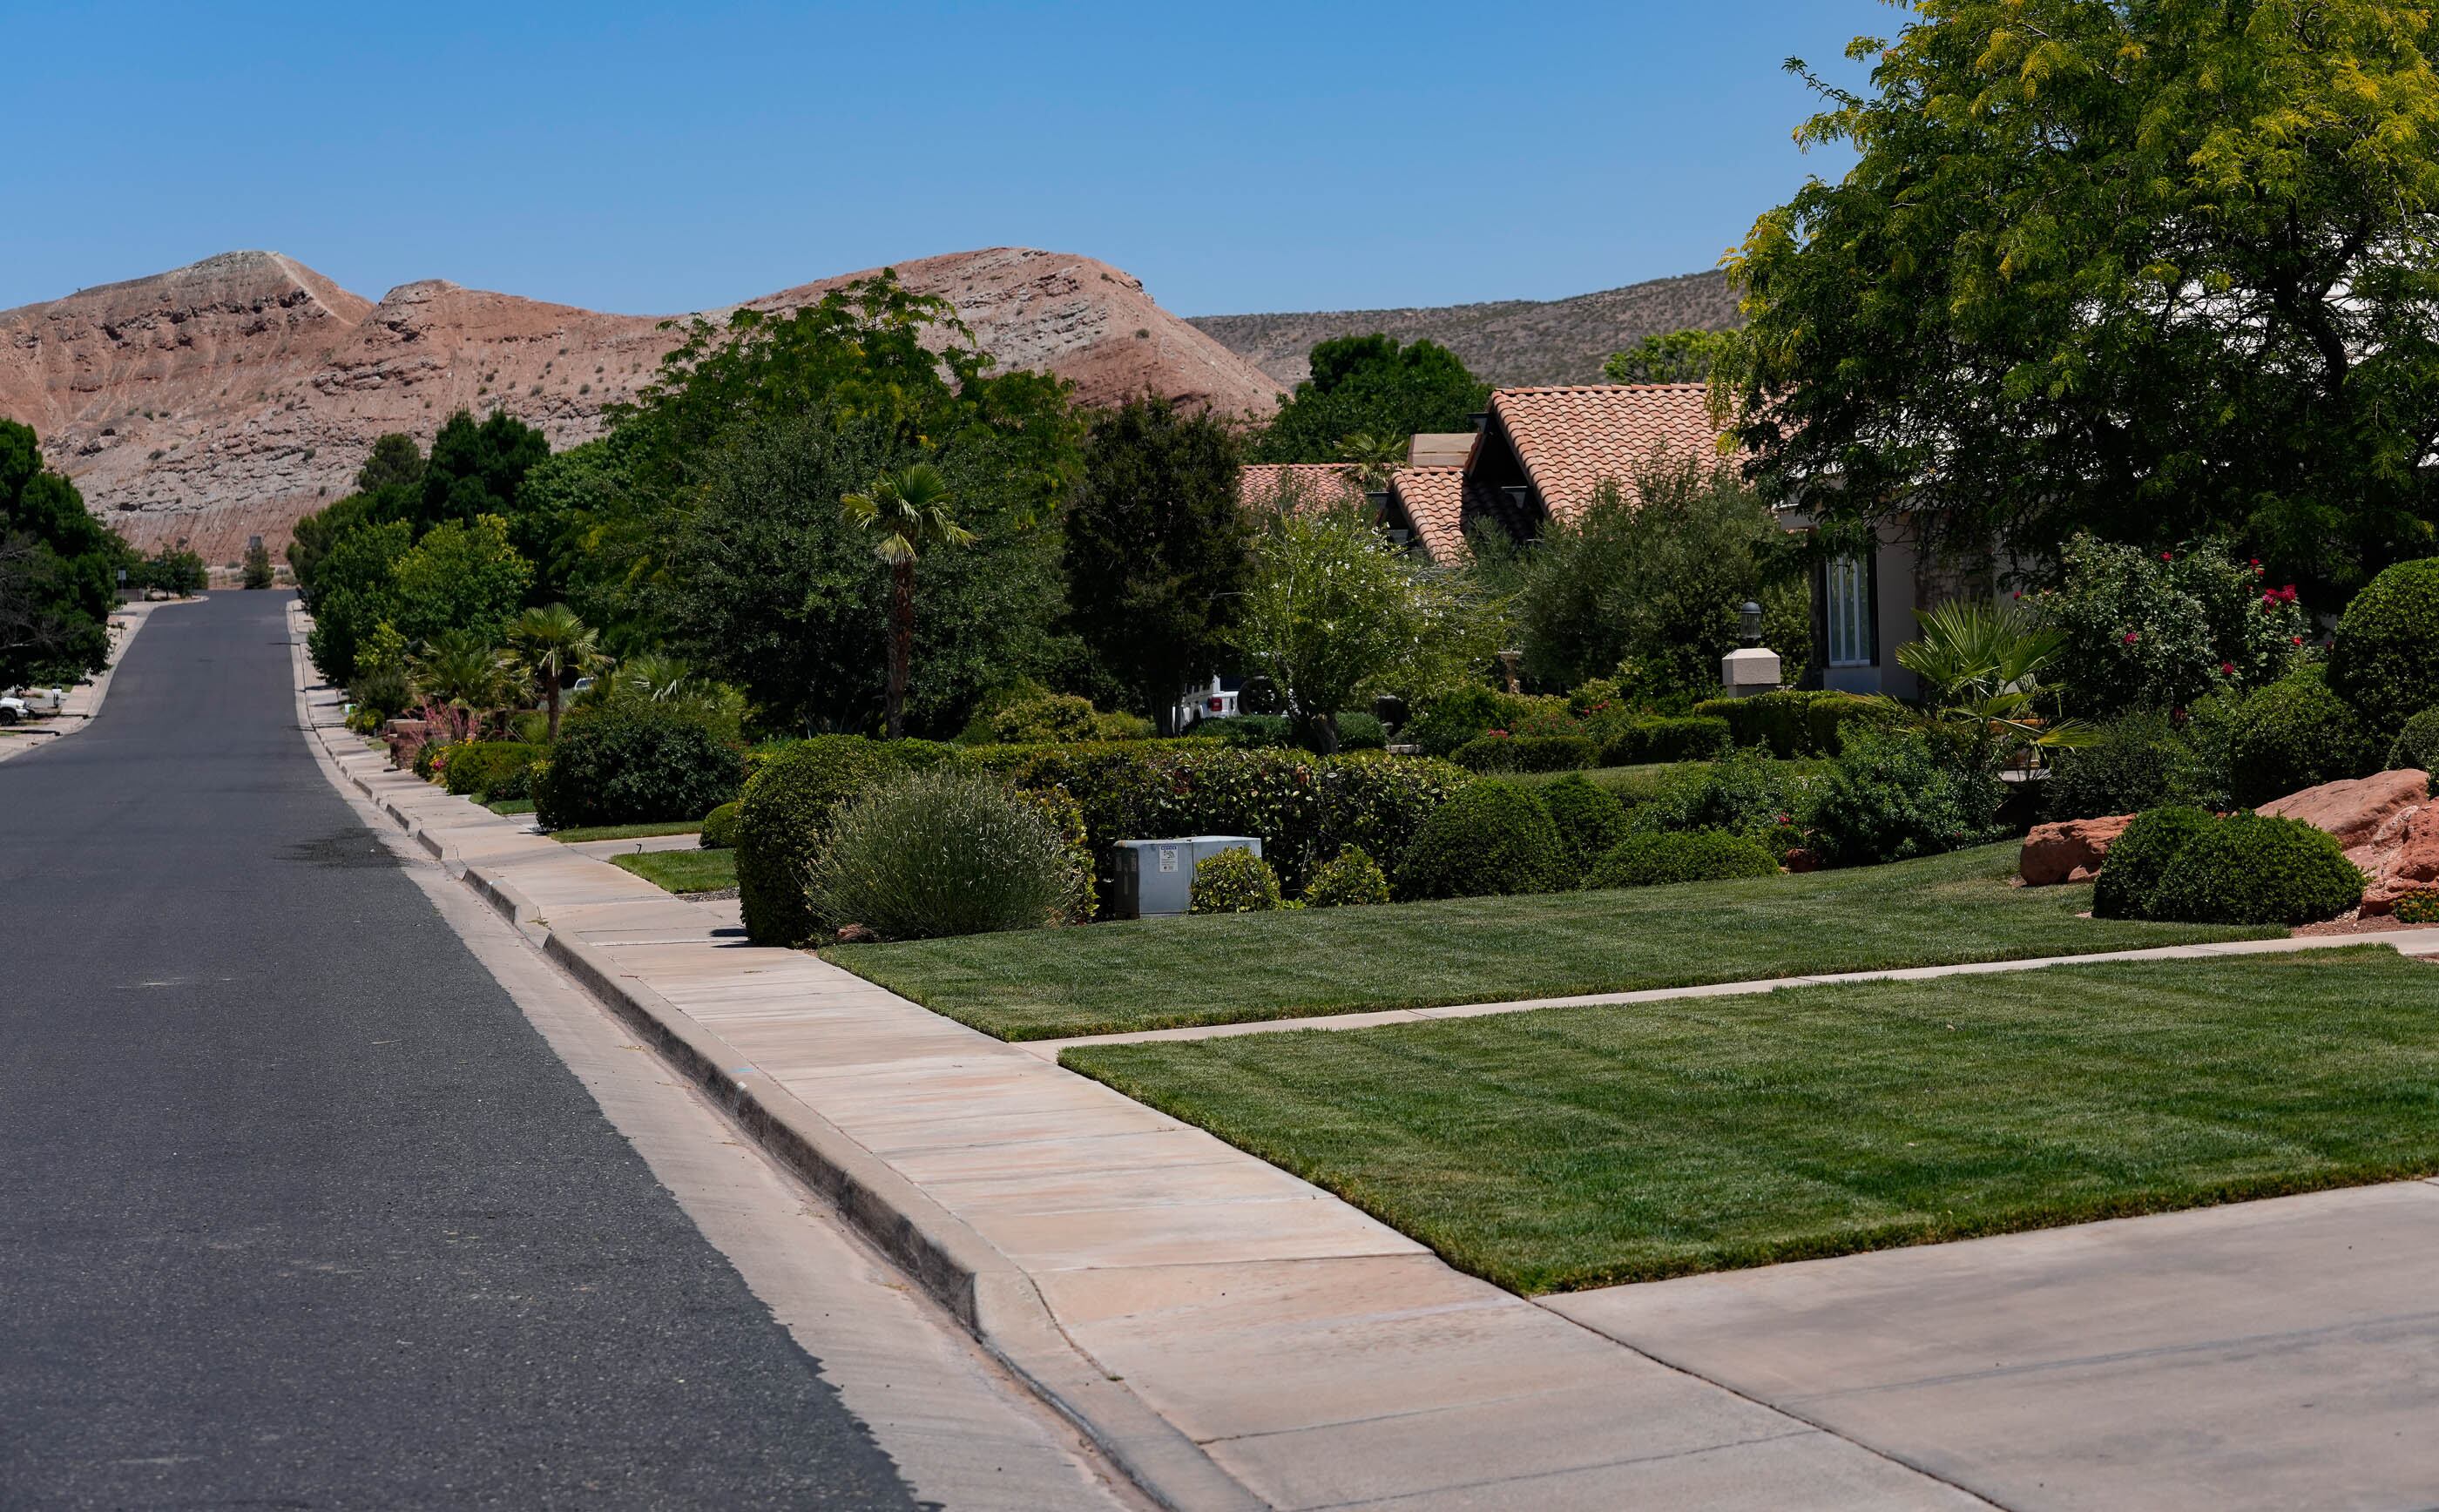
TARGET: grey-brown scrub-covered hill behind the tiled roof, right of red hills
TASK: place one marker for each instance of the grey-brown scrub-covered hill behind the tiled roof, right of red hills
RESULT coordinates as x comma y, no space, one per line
1506,343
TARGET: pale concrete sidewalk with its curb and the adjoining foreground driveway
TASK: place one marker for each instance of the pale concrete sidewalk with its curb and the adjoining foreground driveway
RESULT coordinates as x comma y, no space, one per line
1235,1338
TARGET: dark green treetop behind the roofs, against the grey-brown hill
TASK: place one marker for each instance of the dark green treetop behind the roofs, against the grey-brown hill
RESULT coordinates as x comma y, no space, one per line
1372,387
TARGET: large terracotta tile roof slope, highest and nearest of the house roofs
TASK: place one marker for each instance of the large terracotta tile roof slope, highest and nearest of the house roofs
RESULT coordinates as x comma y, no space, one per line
1577,435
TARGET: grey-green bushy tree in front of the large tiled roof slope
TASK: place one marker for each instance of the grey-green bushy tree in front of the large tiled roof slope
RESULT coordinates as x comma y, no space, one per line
1645,587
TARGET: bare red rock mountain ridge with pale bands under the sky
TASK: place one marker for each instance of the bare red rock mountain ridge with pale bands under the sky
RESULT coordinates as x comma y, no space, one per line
238,394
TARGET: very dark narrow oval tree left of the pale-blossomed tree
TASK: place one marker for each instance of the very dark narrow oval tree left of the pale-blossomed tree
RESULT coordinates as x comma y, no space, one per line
1157,550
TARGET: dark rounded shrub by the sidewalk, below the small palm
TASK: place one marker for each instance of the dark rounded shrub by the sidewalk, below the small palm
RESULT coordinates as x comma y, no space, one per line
635,765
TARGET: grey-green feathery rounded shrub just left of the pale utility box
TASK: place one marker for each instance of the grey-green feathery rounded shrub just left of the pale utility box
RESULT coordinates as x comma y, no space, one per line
943,852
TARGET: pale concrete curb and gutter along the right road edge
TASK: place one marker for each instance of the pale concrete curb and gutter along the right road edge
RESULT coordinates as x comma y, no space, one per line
987,1291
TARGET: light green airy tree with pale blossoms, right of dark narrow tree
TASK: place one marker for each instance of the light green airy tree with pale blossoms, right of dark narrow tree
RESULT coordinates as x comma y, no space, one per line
1333,611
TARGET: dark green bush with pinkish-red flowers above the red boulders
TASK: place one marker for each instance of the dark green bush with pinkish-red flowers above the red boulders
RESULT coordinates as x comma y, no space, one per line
2157,630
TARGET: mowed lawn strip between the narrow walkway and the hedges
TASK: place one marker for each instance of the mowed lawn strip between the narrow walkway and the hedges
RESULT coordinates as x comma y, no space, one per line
1157,974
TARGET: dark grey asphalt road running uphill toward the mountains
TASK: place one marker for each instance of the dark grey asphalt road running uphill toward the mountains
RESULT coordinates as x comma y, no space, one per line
296,1208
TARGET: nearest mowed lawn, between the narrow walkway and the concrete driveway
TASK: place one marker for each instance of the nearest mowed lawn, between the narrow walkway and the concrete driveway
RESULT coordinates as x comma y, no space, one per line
1596,1145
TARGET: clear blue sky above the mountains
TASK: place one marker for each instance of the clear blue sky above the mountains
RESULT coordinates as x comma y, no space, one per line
674,157
